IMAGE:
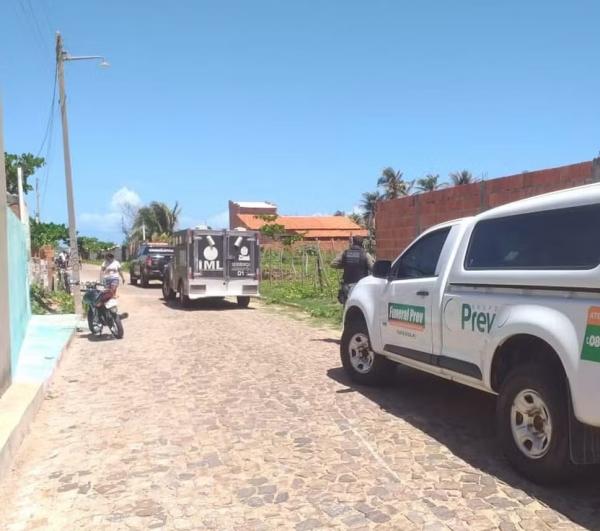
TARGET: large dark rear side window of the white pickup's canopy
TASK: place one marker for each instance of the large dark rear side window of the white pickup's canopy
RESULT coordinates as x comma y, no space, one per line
565,238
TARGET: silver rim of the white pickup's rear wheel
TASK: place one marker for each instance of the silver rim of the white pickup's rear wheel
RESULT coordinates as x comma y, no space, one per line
531,424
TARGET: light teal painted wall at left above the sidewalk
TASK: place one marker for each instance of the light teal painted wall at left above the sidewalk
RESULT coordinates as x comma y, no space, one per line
18,290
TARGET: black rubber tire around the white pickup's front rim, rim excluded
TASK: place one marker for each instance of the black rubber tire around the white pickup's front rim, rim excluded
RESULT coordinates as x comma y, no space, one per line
377,372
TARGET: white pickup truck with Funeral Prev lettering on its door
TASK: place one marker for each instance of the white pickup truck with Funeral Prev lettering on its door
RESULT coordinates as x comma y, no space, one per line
507,302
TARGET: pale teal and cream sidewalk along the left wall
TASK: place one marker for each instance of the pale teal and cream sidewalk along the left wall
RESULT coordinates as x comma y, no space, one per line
47,338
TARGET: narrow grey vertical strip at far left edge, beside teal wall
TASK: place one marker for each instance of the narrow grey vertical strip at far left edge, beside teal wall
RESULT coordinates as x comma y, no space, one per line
4,305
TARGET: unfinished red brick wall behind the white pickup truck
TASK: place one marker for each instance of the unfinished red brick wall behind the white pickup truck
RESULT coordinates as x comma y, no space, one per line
398,221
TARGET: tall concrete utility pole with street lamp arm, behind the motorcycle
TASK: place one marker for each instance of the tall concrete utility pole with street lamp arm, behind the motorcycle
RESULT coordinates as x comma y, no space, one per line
61,57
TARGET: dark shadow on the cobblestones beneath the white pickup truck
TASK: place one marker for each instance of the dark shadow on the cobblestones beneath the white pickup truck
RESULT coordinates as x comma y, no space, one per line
462,419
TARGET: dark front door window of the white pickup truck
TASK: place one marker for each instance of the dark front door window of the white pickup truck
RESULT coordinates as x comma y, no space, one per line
421,258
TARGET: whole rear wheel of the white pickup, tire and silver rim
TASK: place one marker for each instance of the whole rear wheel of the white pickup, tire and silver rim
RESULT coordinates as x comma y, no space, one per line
533,425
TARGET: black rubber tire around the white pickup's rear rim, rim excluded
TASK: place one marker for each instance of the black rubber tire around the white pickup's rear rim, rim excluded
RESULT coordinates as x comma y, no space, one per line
555,464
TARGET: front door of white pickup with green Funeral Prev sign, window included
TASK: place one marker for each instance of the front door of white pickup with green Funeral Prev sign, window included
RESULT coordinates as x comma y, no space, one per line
406,315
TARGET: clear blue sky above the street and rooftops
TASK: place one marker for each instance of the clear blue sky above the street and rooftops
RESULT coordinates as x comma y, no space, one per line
297,102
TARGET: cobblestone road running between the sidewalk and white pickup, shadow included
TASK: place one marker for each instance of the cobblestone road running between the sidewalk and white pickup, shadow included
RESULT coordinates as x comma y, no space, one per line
221,418
